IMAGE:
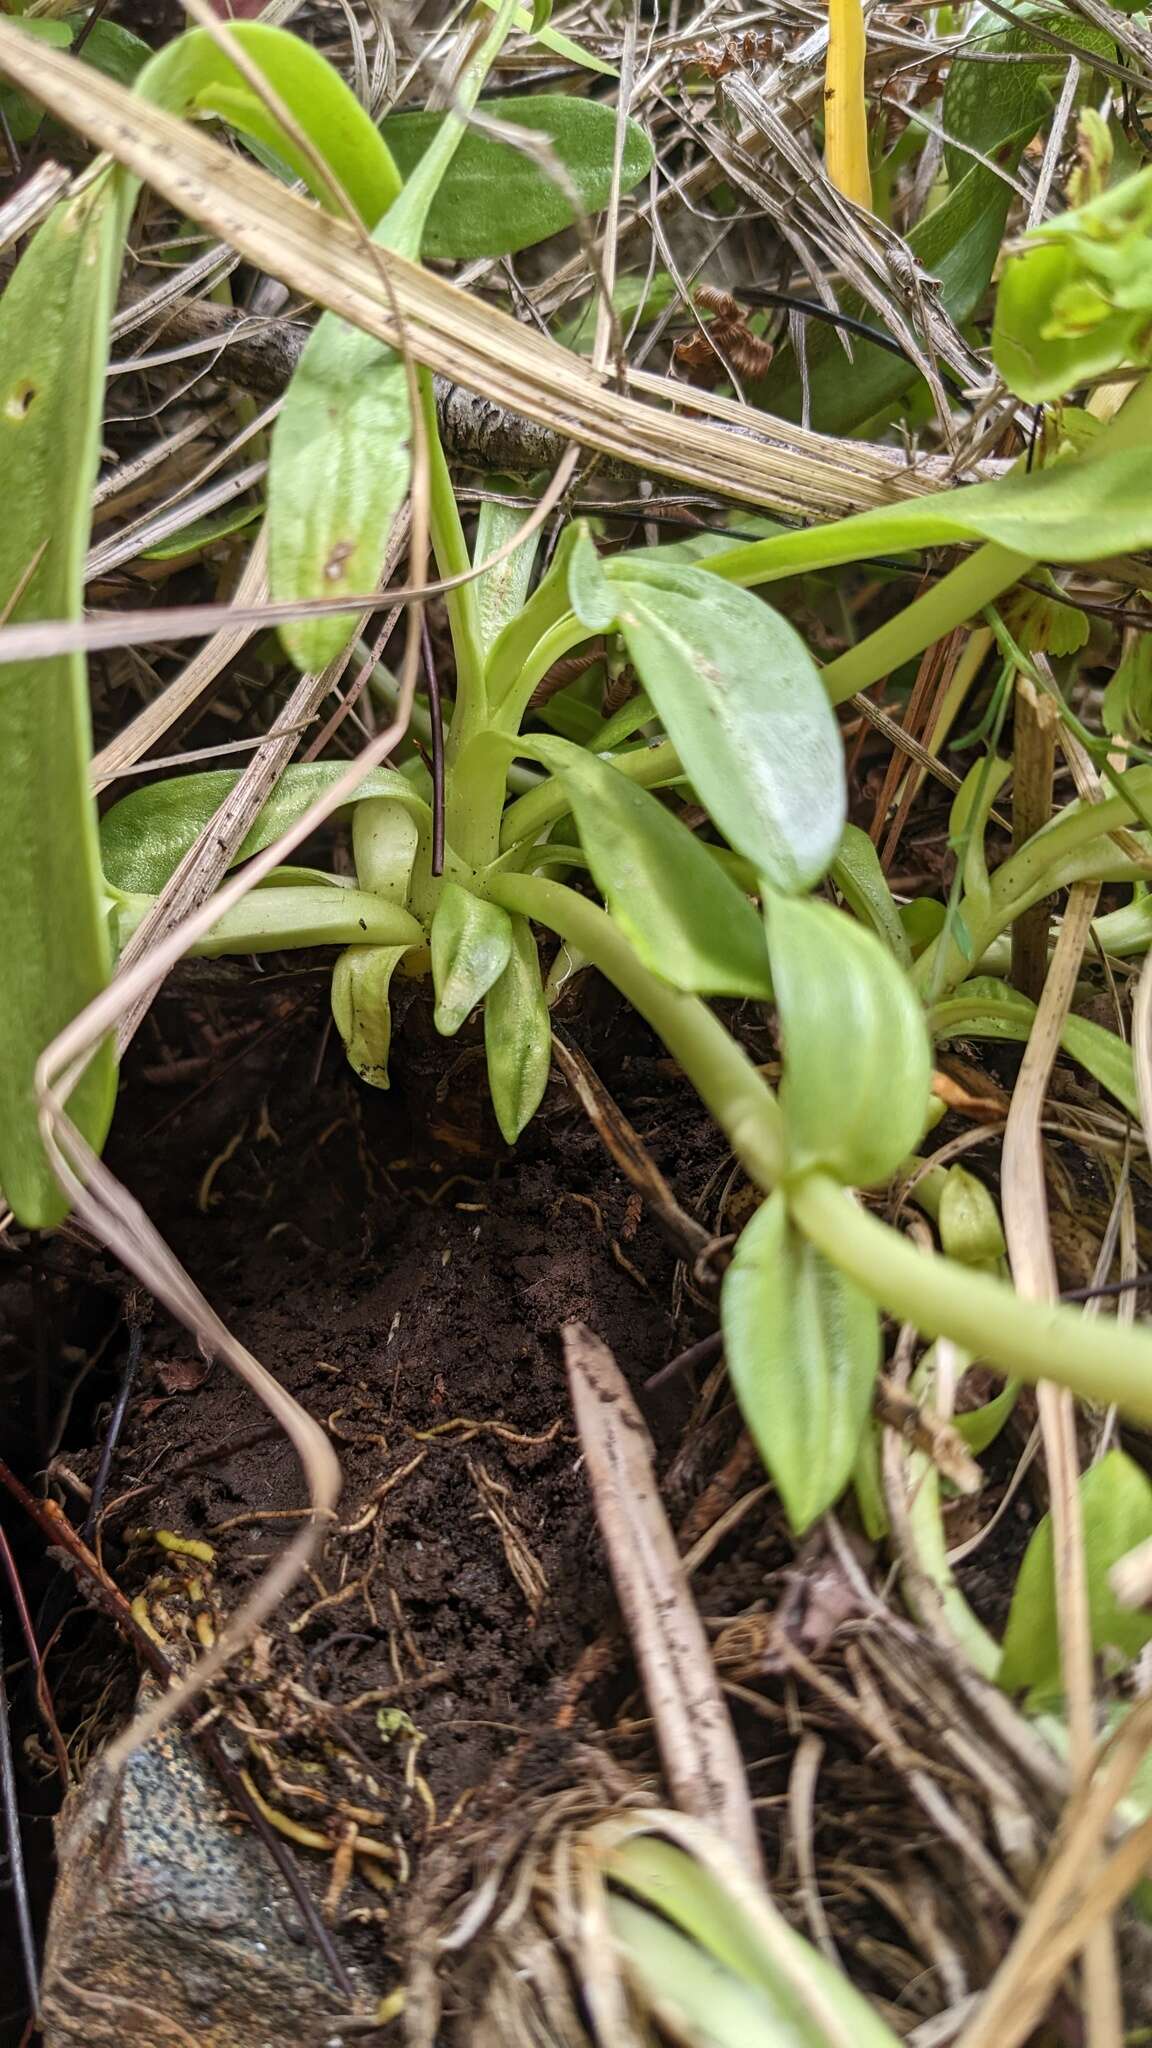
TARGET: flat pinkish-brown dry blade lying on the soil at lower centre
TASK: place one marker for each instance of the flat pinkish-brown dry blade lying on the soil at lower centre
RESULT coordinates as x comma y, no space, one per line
702,1758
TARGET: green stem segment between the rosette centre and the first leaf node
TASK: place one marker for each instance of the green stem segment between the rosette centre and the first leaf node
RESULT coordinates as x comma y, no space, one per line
714,1064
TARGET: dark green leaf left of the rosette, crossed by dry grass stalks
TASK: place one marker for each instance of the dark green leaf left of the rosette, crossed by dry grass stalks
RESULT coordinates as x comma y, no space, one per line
147,835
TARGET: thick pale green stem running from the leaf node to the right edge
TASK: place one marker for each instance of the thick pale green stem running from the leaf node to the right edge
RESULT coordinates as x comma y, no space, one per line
1096,1357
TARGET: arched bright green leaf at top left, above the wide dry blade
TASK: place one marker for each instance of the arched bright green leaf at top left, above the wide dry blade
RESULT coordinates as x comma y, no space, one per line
194,75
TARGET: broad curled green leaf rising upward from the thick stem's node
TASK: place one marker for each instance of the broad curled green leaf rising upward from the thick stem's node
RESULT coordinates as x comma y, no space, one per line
858,1060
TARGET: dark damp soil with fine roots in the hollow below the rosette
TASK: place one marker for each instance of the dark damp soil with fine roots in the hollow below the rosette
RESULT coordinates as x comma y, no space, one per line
407,1281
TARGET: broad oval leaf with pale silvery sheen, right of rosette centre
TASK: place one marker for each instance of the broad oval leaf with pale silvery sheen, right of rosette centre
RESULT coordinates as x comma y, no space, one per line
741,701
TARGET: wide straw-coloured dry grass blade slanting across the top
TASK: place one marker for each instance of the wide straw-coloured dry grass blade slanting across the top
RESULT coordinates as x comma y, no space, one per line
481,347
